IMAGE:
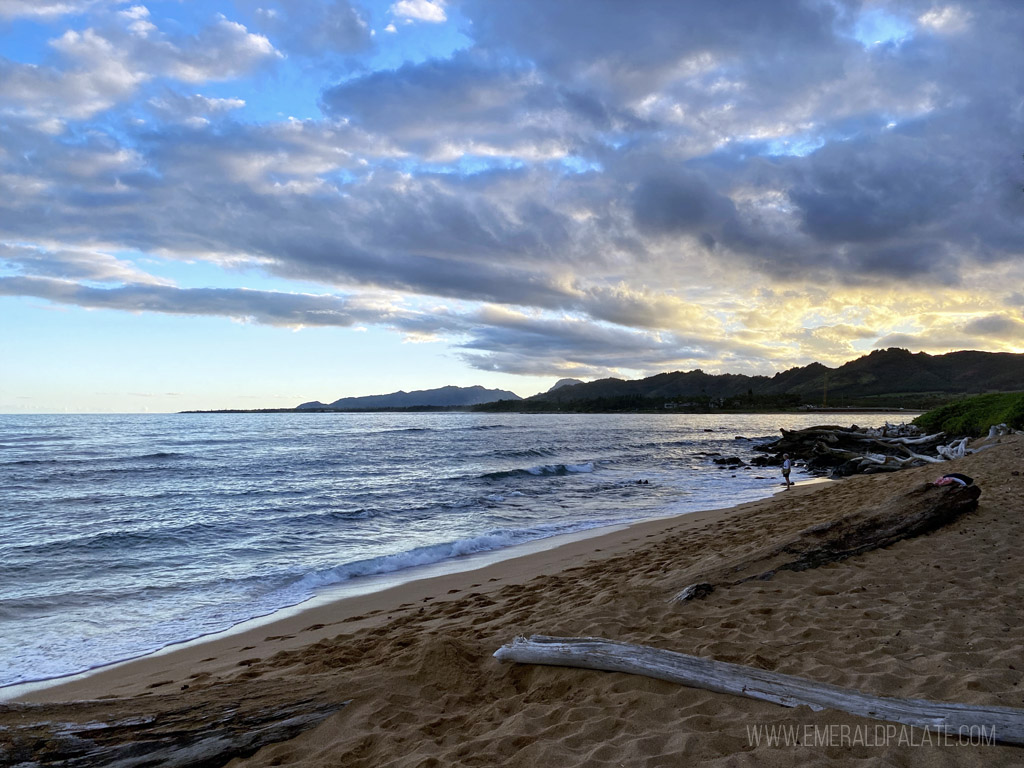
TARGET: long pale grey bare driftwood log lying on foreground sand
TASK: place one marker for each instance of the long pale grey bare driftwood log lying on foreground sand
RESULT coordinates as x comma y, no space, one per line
1003,724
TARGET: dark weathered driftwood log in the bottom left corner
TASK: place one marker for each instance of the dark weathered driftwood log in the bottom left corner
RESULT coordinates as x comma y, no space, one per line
202,736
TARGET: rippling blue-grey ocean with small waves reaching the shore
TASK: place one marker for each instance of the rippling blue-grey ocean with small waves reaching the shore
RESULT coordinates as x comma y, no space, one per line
122,535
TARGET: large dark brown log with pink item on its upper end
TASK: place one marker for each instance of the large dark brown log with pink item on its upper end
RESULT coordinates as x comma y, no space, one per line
918,511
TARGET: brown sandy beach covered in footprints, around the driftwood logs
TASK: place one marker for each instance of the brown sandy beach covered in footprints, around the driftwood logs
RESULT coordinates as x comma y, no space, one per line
936,617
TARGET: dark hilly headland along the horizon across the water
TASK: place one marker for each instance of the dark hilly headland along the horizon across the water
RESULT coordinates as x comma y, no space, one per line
886,379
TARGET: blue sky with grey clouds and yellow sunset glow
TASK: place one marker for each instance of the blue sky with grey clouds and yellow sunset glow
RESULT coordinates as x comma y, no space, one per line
260,203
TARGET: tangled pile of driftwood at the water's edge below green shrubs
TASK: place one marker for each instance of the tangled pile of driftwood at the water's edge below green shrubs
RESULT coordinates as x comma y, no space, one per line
849,451
